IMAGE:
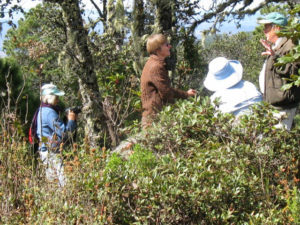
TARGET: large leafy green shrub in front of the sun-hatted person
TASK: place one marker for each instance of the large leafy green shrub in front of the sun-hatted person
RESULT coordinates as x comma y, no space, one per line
213,171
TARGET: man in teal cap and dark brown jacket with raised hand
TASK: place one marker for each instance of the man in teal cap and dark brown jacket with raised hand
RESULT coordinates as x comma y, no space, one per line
271,78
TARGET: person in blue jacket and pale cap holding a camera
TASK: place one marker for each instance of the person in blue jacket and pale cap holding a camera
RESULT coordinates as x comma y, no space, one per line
52,132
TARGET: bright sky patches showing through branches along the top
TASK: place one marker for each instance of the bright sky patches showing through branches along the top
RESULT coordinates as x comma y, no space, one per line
248,24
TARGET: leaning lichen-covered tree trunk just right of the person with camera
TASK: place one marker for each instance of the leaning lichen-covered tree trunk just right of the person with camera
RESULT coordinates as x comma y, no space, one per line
78,48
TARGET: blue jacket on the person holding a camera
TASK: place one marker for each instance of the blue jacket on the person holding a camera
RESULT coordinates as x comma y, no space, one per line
54,131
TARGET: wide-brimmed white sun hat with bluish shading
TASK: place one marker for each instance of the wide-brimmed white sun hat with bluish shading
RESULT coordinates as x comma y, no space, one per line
223,73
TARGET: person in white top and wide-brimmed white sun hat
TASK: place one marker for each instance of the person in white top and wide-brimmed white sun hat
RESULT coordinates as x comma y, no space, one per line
235,95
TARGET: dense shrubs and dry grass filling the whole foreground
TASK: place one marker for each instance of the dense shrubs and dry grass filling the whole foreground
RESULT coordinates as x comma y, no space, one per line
191,167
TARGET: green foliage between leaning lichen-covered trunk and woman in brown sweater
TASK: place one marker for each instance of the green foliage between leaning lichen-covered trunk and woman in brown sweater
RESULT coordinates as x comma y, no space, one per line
118,82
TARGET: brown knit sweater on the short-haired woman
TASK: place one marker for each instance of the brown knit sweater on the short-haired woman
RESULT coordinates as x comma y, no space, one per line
156,87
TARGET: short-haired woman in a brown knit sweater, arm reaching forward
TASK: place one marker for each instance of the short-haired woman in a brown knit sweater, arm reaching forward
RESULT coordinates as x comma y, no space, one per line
155,84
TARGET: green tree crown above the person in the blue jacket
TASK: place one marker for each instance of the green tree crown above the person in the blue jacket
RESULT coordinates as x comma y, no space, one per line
38,40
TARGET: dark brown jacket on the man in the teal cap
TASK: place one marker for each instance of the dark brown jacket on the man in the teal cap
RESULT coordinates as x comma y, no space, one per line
274,79
